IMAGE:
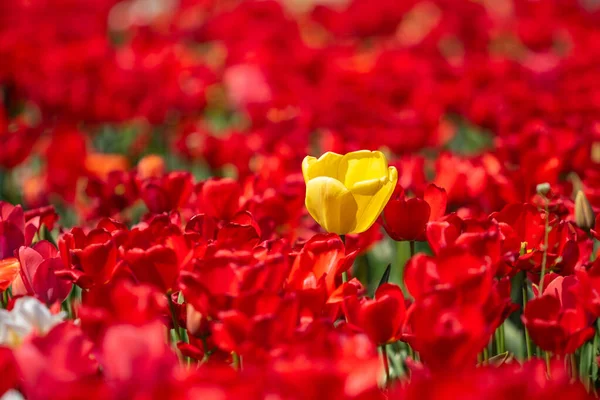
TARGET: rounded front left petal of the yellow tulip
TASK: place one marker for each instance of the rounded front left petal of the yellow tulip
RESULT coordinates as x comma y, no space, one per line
331,204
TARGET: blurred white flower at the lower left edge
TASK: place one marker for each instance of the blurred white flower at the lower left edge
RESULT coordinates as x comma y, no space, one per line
28,316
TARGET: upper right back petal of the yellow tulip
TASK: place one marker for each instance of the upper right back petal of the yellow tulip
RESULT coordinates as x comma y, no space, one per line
360,166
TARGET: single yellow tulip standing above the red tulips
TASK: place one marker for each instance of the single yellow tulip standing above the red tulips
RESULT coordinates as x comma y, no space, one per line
346,193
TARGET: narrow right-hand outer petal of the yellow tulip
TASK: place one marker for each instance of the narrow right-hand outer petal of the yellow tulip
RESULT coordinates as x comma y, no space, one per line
370,207
